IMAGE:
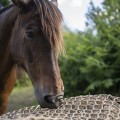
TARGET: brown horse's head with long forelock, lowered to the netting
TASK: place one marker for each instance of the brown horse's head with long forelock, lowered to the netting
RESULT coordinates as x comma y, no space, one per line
36,41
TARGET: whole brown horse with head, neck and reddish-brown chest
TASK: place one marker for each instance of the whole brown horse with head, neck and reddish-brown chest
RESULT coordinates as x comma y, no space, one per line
30,36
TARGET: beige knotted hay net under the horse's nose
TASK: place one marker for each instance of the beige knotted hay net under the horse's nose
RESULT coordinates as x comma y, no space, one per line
89,107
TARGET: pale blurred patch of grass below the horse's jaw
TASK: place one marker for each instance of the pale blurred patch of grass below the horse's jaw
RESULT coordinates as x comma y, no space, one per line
21,97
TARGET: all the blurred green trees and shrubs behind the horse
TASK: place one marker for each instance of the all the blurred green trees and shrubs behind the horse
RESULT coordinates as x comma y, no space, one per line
92,62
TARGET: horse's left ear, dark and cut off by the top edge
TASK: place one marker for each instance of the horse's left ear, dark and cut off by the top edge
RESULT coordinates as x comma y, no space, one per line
21,3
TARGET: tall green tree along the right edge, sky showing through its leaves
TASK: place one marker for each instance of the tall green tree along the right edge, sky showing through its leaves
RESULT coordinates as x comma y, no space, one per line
105,21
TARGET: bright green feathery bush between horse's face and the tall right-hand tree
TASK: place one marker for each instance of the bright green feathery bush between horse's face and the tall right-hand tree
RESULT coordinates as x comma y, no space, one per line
84,70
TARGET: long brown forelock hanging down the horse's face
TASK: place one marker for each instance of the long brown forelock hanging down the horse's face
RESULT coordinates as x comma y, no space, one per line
51,19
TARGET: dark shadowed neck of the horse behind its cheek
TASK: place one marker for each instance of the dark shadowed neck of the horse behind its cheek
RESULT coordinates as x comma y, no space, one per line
7,20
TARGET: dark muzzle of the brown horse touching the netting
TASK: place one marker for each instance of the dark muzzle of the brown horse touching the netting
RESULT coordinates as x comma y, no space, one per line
48,99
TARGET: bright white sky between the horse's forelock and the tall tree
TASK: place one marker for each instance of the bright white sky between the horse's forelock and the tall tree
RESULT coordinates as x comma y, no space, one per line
74,12
